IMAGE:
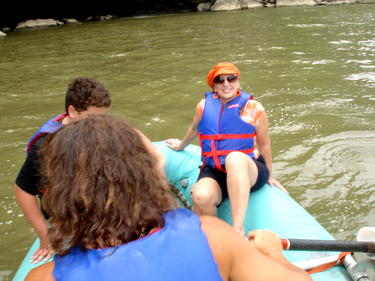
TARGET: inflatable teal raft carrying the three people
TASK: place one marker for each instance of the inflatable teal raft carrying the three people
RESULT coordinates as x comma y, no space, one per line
268,208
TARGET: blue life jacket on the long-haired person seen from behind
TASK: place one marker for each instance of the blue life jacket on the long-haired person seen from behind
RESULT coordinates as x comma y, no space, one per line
179,251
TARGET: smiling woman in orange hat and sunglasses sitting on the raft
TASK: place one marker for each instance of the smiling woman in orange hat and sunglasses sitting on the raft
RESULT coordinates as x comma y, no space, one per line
229,123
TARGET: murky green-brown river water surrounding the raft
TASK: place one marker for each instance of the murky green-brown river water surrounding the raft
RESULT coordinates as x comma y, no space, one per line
312,68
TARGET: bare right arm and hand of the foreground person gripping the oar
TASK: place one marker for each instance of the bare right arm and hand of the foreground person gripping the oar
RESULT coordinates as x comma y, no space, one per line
260,260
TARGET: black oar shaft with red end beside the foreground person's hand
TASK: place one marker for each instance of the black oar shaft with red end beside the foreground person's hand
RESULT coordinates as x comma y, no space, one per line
328,245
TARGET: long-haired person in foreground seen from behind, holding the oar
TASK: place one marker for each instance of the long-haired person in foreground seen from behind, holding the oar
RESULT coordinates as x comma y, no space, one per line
117,219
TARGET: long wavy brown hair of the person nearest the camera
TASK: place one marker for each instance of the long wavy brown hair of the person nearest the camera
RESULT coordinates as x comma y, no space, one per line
102,186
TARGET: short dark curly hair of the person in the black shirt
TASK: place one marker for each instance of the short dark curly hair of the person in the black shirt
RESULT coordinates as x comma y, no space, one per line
84,92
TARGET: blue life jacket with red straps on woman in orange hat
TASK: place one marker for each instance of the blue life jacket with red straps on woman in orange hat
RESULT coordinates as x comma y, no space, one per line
222,131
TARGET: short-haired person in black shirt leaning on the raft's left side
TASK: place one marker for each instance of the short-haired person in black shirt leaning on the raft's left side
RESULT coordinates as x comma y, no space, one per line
85,97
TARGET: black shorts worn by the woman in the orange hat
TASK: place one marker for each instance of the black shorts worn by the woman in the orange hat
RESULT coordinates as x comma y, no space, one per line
221,177
